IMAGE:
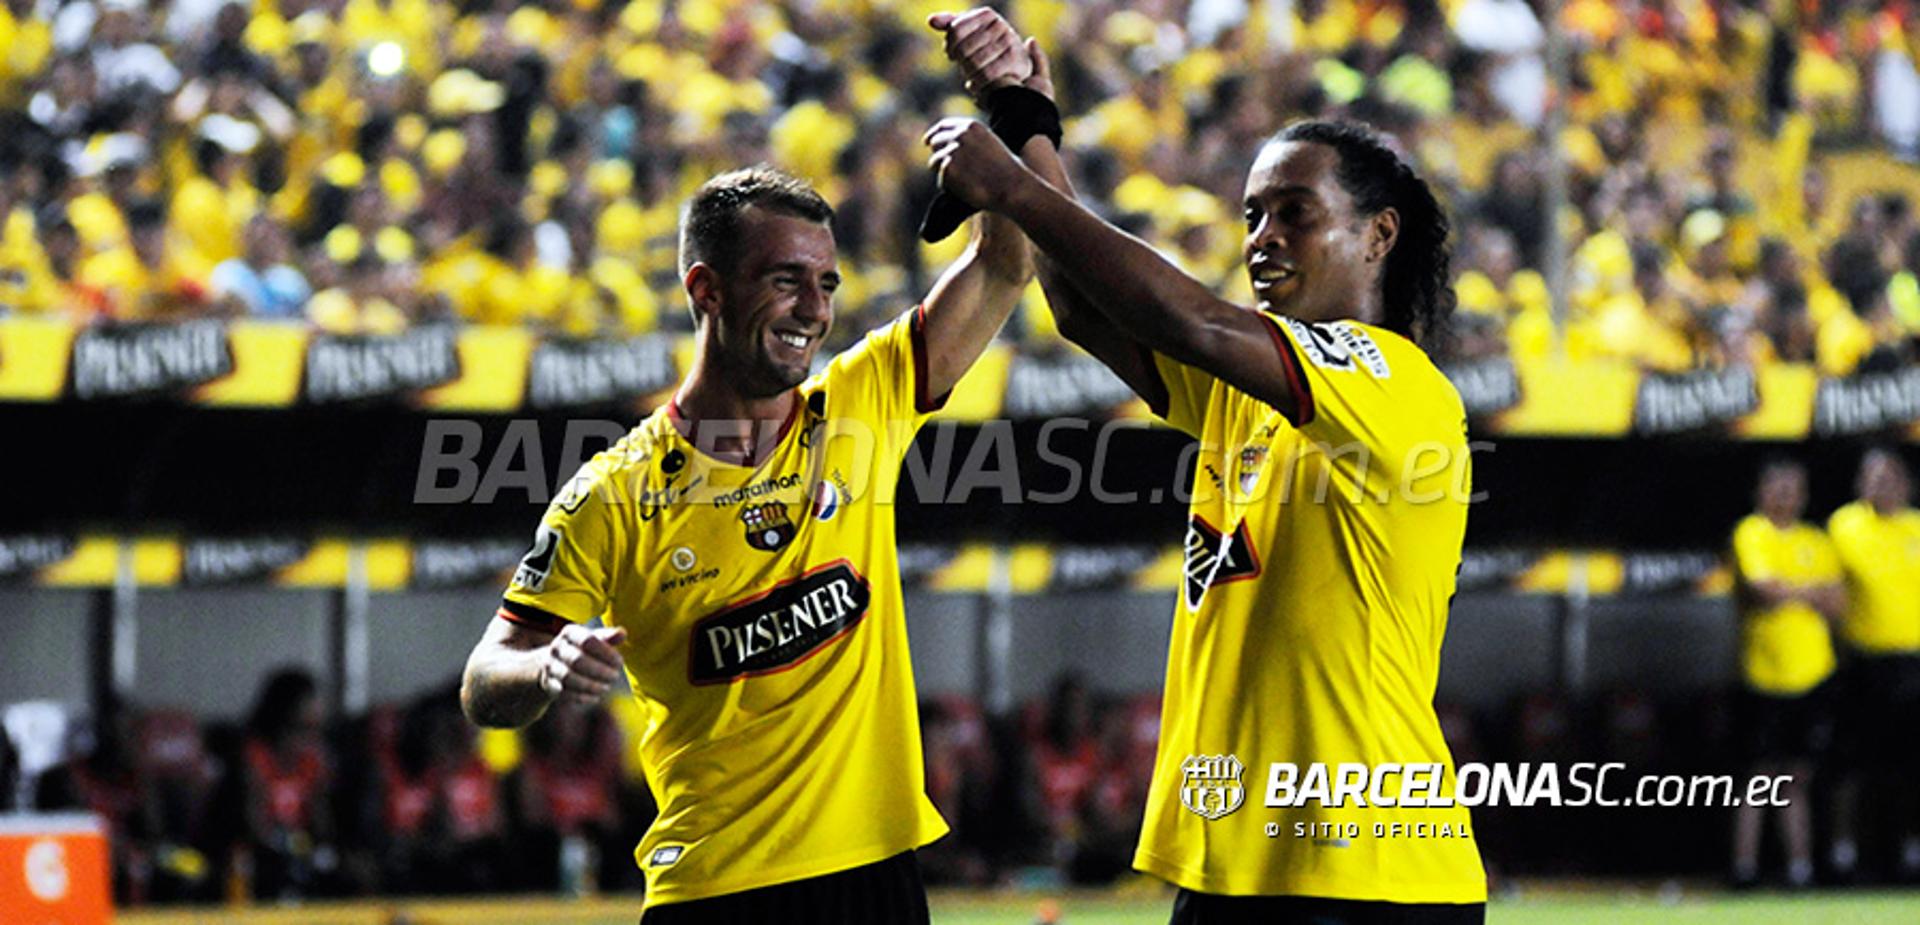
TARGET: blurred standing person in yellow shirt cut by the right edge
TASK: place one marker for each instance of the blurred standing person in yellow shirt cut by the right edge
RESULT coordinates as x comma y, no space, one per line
1879,544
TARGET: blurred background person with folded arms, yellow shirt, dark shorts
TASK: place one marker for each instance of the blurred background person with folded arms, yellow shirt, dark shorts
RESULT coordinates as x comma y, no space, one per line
1788,588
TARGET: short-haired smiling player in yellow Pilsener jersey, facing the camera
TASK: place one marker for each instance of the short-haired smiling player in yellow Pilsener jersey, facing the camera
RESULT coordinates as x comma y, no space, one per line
740,552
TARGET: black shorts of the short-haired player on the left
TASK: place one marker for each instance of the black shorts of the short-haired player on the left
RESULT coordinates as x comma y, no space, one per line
882,893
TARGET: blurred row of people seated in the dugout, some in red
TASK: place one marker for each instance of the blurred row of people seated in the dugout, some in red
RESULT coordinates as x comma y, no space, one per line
410,799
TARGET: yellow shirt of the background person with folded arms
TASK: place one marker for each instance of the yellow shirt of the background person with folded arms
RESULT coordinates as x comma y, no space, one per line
1787,650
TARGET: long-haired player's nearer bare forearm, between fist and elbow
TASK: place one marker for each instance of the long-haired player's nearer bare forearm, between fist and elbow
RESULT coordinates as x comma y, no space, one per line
1134,287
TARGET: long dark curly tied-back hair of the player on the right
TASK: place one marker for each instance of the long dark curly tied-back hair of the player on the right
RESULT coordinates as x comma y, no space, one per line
1416,287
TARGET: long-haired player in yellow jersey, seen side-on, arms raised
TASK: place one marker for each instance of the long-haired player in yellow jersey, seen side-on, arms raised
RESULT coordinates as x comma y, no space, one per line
1326,525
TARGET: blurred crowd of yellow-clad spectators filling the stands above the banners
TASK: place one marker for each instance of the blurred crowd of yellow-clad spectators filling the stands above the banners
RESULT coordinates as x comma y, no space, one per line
377,164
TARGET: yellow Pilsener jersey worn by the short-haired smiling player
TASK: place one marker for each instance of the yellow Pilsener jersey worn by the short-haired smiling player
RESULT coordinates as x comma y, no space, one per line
767,640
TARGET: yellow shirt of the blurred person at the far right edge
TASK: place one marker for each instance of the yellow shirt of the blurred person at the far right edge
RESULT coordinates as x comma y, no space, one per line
1883,563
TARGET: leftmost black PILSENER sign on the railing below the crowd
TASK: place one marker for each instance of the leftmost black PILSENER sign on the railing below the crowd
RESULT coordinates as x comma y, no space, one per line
139,360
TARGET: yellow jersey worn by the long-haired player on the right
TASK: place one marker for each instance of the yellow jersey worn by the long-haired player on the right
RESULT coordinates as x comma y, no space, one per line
1322,552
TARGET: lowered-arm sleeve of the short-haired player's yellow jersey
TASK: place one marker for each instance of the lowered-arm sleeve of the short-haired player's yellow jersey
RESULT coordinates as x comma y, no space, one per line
569,573
